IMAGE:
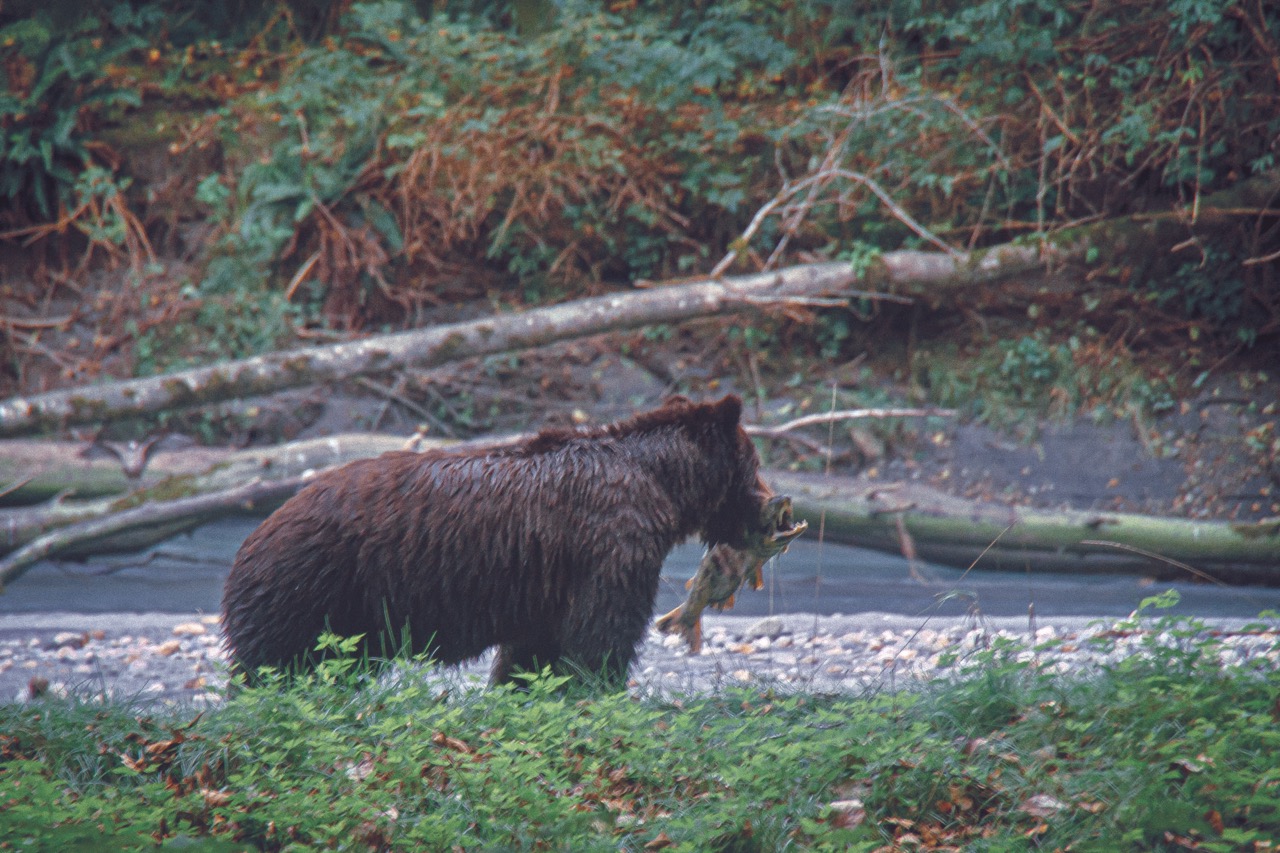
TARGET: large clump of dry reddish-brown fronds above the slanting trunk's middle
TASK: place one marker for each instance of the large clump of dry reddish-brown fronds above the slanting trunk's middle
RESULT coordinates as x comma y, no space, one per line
497,179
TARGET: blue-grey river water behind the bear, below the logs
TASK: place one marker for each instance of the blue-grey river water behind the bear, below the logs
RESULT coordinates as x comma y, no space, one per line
186,576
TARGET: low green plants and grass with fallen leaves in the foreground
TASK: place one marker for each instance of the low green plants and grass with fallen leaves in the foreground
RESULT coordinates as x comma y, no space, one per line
1169,750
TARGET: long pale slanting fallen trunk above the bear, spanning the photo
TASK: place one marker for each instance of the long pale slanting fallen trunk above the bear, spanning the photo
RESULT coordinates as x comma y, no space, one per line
932,277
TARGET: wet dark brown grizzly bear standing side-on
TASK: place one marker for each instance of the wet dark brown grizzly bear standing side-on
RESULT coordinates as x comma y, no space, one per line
550,549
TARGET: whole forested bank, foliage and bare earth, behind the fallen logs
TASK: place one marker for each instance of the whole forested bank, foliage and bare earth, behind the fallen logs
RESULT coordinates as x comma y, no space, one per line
188,184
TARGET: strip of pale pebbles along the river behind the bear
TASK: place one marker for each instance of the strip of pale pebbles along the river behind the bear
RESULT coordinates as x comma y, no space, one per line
186,663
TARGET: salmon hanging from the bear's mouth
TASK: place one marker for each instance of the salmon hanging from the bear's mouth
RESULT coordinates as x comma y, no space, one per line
724,571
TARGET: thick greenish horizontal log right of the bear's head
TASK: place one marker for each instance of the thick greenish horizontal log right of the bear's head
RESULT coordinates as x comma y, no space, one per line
934,526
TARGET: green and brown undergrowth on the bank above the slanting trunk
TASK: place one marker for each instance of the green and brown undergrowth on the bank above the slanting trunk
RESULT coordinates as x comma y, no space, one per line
380,161
